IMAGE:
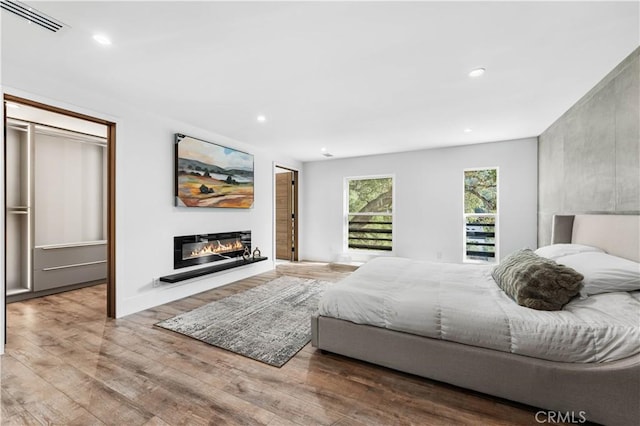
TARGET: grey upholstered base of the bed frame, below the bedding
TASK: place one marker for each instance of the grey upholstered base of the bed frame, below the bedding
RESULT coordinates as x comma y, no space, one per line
606,393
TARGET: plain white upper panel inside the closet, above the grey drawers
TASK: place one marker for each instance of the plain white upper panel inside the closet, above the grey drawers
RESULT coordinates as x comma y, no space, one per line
69,190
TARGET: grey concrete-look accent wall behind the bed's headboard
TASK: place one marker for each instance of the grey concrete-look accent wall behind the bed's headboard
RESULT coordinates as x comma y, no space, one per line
589,159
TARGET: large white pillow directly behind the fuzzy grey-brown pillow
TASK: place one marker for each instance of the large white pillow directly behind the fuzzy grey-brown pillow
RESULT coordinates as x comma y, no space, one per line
604,273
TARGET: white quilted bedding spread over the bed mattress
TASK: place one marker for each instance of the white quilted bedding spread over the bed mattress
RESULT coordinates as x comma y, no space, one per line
462,303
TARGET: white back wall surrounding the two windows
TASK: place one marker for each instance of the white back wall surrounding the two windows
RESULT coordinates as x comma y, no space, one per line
428,200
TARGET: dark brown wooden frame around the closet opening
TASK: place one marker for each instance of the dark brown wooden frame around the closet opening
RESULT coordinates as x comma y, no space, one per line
111,190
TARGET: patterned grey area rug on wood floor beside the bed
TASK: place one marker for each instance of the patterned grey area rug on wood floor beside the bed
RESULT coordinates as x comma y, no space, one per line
269,323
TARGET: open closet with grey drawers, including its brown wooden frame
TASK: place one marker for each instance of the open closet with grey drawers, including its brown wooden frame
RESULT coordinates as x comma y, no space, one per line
59,174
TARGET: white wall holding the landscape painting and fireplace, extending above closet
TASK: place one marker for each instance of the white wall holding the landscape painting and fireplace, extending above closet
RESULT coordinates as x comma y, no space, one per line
146,219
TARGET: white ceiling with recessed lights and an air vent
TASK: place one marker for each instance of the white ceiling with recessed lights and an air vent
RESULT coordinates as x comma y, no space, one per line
356,78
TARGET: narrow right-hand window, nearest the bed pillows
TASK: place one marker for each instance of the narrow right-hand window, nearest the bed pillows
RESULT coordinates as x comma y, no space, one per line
480,215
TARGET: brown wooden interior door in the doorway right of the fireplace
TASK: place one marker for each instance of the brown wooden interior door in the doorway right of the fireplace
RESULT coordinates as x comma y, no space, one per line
284,216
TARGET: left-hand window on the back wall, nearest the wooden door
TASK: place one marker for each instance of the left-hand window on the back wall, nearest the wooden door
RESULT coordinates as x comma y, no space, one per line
369,213
